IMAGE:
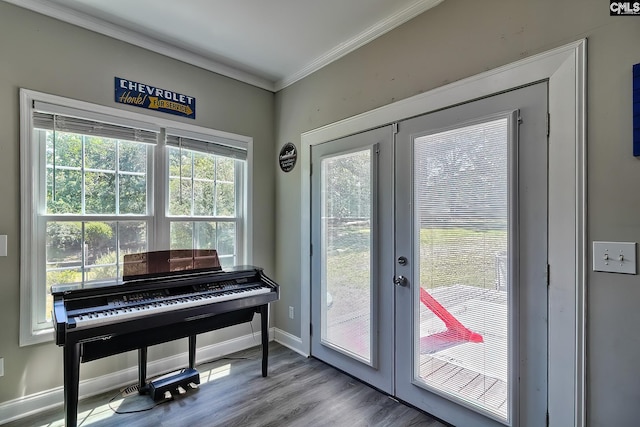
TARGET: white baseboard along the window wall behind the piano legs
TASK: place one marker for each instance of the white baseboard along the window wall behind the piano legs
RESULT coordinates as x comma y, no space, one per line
39,402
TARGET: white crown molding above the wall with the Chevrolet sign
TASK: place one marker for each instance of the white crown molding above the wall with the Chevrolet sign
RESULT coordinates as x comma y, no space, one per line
108,29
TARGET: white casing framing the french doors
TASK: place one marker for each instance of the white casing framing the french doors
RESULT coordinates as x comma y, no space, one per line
565,69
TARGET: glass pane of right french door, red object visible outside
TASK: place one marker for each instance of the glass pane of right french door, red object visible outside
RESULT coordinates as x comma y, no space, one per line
462,223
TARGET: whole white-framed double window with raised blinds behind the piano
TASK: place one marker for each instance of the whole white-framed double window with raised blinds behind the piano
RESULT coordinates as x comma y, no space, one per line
98,183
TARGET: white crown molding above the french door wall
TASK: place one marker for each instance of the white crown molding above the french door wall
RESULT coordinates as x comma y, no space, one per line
359,40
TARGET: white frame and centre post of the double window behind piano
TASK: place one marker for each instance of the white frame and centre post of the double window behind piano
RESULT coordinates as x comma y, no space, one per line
31,241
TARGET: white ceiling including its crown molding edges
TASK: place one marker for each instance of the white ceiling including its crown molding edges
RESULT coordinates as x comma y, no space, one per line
267,43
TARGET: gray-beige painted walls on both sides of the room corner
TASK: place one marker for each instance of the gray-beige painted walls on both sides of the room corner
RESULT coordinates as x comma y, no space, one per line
455,40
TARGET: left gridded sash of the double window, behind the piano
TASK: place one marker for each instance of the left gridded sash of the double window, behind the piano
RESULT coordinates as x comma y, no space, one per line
89,175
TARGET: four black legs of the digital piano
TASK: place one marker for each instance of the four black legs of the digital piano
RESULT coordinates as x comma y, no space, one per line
71,354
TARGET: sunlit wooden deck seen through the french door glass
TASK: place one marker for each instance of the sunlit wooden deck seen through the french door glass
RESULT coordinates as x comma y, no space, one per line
473,372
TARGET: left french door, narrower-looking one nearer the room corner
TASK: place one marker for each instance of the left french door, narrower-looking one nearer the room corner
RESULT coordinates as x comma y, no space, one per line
352,236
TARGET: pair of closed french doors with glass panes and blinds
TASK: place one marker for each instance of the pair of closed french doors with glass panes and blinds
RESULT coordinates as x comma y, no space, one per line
430,257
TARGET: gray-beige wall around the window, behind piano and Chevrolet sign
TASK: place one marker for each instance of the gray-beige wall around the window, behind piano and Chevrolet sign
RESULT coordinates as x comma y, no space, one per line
46,55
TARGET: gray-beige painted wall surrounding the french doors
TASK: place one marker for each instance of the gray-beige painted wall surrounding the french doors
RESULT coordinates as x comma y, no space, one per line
458,39
